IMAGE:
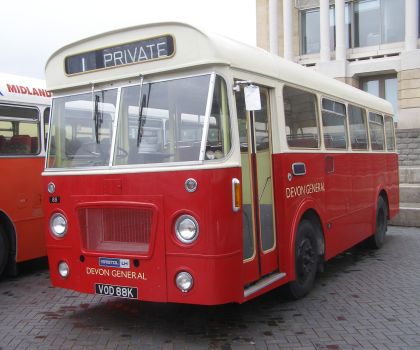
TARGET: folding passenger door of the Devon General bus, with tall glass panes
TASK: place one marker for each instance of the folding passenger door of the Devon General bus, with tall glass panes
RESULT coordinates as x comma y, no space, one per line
260,255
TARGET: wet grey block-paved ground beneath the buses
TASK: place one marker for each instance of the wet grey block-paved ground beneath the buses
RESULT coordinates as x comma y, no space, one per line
364,300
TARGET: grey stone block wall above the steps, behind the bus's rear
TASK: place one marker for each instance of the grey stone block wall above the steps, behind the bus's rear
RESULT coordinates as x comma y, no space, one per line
408,145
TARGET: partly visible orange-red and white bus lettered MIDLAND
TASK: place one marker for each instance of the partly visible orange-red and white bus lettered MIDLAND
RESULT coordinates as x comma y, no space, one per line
24,113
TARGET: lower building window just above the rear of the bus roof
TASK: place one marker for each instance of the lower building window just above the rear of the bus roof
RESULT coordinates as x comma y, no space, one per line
385,86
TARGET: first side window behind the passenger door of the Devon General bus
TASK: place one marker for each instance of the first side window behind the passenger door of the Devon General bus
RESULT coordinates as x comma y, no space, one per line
300,111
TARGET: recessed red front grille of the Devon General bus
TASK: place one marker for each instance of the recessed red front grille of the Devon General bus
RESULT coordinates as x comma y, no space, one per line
116,229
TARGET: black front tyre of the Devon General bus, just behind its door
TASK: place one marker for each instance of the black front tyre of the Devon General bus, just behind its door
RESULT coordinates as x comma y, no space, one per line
306,260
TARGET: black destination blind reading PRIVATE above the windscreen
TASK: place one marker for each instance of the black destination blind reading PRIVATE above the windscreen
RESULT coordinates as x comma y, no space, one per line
121,55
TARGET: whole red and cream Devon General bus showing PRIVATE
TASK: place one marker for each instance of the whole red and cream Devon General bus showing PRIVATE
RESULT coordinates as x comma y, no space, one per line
190,168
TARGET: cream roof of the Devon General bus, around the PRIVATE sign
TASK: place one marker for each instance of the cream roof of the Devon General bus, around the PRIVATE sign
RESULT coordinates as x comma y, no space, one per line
195,48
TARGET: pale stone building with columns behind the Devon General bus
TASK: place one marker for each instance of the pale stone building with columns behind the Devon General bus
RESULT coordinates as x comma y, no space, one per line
370,44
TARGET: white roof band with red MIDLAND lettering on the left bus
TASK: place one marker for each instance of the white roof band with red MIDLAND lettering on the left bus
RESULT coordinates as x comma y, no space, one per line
19,89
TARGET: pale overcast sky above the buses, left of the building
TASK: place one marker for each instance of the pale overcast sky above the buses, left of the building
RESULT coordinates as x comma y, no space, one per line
30,30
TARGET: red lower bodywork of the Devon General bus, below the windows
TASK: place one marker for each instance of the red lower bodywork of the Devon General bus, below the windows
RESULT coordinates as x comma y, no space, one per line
216,262
